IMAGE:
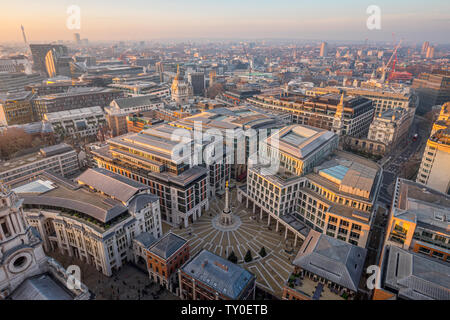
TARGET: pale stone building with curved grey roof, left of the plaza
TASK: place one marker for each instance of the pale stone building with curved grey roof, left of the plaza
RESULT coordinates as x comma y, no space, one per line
93,219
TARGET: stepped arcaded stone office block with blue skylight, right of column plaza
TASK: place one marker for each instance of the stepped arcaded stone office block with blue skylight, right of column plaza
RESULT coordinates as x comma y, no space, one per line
336,199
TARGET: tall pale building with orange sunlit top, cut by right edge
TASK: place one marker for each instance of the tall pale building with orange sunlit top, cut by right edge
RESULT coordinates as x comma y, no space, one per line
434,170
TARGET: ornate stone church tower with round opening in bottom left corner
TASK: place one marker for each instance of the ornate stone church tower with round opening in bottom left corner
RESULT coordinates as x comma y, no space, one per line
25,272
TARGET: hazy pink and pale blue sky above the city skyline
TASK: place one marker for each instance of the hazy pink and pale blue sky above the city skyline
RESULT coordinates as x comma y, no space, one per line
45,20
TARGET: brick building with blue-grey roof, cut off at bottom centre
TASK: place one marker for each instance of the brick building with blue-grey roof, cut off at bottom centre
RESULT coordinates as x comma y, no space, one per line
207,276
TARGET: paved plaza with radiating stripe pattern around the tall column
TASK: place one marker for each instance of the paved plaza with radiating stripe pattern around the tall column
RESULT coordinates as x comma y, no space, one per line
271,271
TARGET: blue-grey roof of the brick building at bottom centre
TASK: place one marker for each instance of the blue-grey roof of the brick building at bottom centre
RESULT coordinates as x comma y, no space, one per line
222,275
